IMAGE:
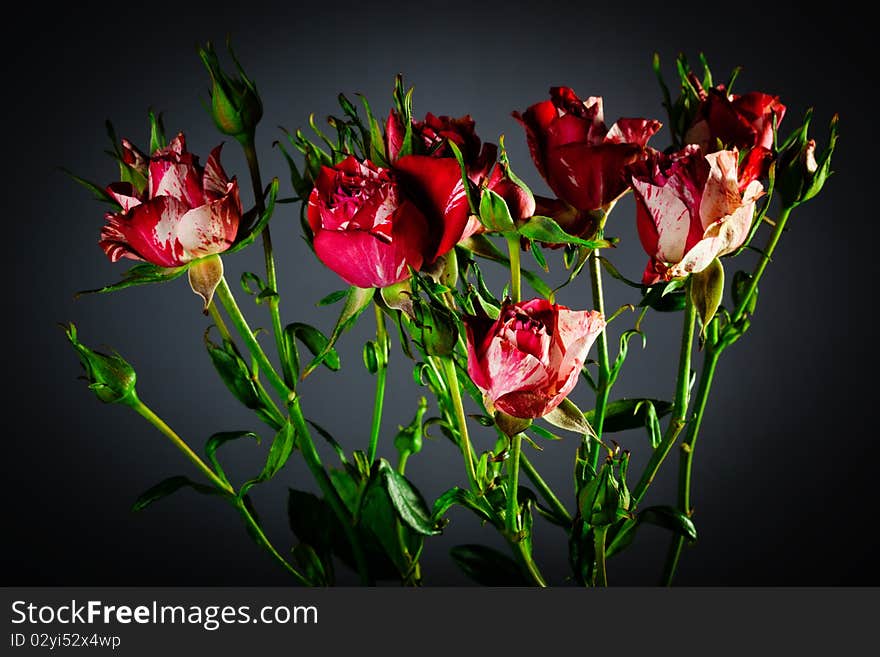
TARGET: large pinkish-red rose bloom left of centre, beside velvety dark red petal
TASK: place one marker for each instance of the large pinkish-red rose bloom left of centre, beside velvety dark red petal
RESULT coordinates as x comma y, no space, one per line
364,228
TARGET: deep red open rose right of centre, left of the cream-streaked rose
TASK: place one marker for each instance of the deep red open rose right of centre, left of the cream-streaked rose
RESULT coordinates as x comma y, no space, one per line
581,159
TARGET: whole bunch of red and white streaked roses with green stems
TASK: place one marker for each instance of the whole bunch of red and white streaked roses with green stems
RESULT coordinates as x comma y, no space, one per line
407,210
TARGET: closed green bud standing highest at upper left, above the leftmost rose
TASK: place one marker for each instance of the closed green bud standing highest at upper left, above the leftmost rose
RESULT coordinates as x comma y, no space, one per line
235,104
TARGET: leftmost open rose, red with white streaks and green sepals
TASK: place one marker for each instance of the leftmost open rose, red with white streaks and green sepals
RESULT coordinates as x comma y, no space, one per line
182,212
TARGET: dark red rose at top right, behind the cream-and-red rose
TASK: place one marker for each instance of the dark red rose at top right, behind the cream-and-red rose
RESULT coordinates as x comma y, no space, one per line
742,122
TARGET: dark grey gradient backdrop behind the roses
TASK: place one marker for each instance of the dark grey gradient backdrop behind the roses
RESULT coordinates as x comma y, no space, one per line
784,479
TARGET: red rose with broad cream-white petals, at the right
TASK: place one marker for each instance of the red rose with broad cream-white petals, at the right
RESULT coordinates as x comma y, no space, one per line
691,208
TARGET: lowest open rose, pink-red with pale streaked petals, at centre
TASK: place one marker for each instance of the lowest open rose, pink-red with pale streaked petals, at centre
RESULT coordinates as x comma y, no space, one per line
529,359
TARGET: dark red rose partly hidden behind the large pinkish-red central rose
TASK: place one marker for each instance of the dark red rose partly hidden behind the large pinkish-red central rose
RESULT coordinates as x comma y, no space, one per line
432,137
